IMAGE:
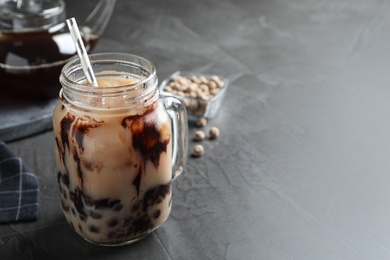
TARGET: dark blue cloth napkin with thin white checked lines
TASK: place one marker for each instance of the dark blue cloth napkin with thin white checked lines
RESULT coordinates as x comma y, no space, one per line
19,188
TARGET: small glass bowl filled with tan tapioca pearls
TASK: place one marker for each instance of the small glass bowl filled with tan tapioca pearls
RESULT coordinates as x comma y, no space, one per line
197,105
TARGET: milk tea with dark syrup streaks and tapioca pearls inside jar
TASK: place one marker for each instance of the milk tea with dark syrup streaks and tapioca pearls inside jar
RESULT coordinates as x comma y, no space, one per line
114,167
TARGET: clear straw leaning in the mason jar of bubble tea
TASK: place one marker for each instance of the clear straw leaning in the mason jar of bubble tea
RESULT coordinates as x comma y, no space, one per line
78,42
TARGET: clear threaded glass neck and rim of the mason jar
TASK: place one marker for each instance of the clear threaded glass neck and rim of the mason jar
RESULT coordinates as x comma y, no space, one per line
143,91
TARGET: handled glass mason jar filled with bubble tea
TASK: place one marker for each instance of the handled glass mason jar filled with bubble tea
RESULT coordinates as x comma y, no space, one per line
114,146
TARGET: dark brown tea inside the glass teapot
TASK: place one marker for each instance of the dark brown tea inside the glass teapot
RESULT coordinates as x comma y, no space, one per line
31,62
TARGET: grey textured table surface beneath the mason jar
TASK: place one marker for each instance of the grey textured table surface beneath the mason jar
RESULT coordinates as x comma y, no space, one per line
301,169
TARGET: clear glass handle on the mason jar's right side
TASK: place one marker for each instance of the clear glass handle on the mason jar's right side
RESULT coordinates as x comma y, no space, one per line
178,114
